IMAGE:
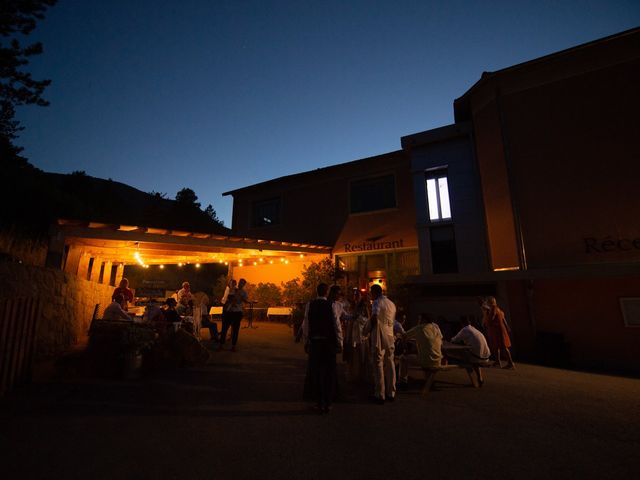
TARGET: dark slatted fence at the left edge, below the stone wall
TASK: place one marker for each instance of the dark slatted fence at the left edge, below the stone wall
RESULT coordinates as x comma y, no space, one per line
18,323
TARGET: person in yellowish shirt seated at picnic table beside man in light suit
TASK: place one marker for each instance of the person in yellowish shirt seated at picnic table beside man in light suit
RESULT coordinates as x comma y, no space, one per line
428,339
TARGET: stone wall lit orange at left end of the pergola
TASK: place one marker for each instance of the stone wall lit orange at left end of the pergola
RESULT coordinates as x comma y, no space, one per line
67,303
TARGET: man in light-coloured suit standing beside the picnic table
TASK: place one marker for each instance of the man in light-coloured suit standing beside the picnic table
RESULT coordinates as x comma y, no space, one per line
383,314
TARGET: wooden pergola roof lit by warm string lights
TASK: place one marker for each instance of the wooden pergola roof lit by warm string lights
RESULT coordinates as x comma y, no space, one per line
82,246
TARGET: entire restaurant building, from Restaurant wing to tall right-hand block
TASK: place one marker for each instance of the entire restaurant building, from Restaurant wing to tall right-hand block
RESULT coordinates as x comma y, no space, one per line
531,196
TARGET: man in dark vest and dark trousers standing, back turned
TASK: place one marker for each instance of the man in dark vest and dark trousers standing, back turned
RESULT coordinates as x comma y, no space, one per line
323,341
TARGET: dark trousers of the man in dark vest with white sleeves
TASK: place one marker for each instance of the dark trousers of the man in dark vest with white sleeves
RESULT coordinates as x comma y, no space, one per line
322,371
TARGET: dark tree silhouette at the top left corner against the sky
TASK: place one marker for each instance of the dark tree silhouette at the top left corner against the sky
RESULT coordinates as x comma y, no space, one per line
17,87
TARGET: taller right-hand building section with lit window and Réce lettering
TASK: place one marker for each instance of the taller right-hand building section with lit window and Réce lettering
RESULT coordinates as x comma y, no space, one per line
551,147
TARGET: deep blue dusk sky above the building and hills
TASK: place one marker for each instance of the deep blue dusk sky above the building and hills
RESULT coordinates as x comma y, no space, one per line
217,95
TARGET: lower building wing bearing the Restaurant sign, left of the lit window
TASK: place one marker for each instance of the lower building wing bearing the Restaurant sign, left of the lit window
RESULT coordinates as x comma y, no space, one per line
363,210
